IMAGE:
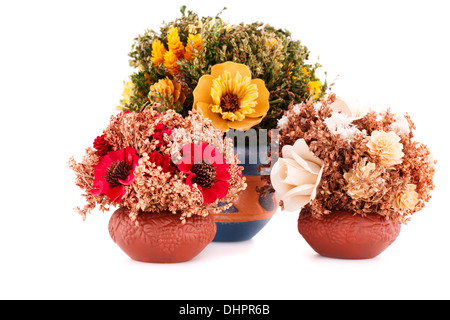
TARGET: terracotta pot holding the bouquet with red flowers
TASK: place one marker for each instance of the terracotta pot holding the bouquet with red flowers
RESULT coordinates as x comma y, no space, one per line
161,237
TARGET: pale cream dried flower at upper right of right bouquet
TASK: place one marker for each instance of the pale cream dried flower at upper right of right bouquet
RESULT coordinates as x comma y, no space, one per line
385,148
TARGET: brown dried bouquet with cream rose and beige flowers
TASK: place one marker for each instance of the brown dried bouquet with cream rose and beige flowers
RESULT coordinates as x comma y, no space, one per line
336,157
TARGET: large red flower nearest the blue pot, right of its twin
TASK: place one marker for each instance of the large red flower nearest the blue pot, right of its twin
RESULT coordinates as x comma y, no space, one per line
206,167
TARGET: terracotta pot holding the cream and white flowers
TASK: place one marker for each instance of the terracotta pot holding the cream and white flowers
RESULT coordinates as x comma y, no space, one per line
344,235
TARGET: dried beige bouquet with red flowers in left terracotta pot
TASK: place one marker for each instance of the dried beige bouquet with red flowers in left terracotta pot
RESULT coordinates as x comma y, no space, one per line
159,162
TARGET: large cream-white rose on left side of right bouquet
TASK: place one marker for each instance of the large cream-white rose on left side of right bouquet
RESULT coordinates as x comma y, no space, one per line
296,176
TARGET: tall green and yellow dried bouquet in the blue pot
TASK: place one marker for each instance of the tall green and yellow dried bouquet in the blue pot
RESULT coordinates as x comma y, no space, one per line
239,76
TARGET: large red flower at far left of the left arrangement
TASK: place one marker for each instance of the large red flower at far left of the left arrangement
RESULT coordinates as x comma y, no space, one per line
114,171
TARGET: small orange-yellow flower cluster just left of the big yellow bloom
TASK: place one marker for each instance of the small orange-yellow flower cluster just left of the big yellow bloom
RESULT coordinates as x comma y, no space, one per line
167,92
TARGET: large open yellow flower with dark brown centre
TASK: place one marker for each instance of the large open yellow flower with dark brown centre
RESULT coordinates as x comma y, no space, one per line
230,98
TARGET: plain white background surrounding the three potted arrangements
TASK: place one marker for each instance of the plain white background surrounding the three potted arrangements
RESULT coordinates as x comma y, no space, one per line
62,66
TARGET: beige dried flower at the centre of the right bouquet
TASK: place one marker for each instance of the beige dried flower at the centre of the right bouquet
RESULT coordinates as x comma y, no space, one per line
364,181
